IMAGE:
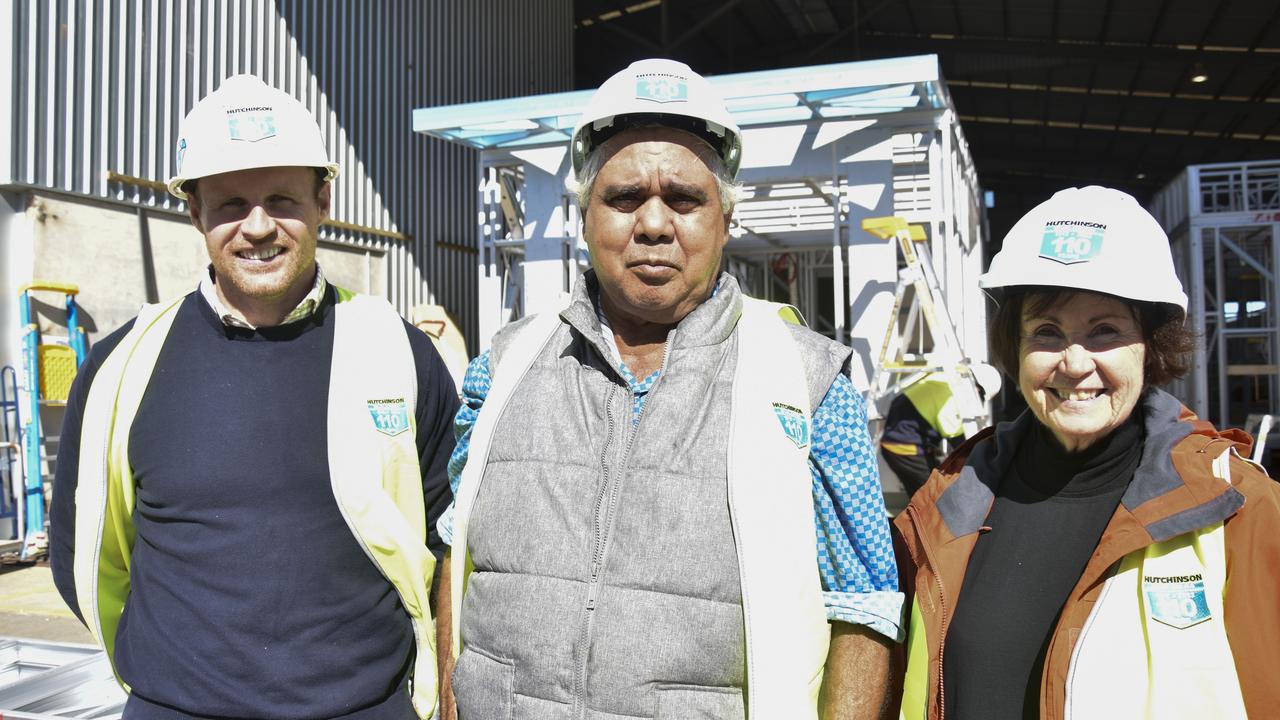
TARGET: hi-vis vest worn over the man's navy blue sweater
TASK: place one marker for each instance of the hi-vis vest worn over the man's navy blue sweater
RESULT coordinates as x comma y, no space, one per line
372,359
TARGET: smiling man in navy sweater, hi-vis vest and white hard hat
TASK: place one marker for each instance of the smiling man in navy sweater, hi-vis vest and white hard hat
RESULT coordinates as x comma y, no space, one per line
249,473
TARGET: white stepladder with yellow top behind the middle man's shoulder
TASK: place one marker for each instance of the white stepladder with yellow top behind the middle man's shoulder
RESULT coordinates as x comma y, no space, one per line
897,368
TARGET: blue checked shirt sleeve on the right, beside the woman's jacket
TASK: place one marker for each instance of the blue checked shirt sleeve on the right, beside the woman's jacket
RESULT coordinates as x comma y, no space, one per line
856,552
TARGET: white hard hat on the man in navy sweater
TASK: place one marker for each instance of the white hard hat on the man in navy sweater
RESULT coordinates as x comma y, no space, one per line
246,125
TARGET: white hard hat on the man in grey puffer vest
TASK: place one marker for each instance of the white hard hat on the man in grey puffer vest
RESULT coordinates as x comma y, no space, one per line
664,93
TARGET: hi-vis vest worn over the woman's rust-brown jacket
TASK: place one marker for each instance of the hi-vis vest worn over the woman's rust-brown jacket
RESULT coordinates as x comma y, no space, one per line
1127,663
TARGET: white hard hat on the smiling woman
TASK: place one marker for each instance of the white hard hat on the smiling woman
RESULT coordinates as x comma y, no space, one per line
1091,239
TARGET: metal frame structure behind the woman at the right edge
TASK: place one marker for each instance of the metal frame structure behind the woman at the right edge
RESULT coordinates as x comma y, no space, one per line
1224,225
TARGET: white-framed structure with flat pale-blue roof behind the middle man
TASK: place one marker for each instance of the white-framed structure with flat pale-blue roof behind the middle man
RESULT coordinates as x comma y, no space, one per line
825,148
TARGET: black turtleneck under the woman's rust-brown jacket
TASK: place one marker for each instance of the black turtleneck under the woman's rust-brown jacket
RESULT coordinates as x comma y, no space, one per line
1046,521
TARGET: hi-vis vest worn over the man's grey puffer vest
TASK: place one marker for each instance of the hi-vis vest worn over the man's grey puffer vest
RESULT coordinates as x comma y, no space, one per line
771,508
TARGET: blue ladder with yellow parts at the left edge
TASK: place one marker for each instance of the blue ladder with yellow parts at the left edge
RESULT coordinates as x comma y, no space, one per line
49,370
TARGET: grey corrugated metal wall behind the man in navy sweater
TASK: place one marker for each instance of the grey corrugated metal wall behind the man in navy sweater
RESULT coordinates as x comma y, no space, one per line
100,88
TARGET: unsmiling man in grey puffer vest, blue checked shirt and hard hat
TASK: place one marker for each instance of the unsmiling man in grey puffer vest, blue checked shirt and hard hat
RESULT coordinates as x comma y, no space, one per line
668,503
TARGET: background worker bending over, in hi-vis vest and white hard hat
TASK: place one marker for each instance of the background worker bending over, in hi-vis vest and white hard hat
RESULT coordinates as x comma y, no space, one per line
918,421
